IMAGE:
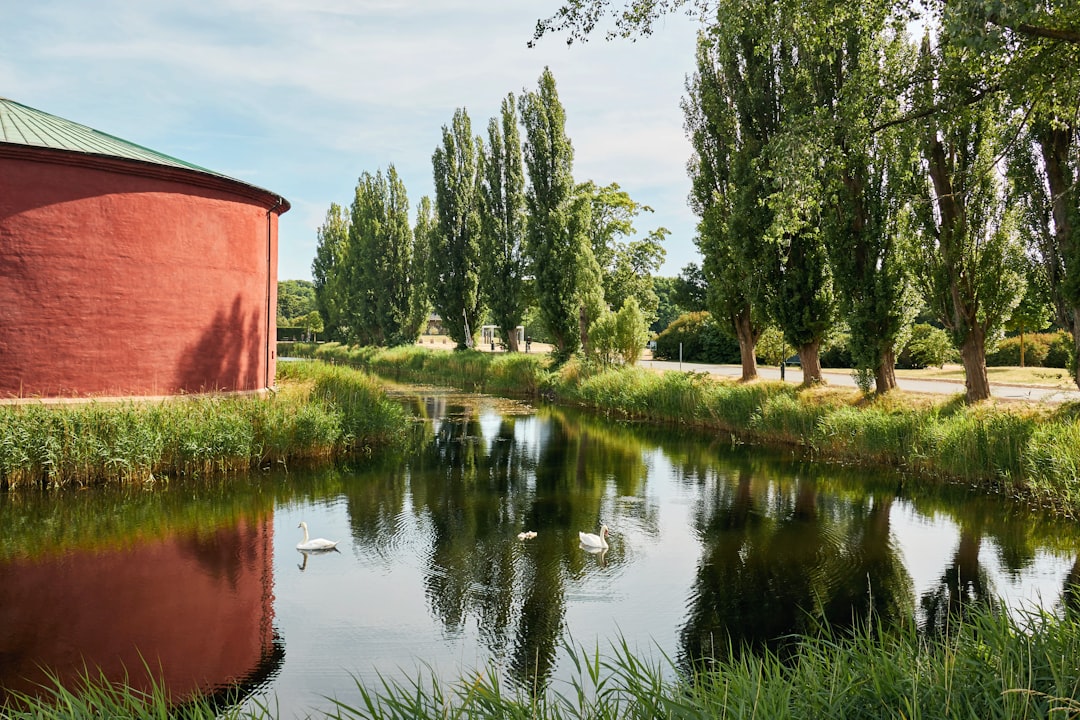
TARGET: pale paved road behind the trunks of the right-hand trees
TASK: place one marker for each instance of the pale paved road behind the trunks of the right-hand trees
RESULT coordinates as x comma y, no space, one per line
844,379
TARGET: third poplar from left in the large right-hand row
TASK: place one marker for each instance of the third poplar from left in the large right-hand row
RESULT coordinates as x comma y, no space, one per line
855,60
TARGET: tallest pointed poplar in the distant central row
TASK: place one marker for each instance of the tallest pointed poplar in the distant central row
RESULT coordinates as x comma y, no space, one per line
565,271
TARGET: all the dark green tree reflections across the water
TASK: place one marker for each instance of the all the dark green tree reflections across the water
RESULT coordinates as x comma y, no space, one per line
782,549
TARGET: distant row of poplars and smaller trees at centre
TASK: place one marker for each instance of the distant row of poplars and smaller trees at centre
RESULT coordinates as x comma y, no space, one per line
509,228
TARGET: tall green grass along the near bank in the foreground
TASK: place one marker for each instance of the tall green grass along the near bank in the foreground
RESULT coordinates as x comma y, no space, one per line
990,667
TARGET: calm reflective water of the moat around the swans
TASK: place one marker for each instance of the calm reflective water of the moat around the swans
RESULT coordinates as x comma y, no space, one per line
202,580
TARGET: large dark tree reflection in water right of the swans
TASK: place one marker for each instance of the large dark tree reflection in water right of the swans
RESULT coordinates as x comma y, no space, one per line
782,559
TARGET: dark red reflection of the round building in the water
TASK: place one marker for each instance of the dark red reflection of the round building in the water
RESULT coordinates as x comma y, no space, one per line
198,610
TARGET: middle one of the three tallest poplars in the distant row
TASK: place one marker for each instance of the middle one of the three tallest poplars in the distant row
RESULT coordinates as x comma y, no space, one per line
503,203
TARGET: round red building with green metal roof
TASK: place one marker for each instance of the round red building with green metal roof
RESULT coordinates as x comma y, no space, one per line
128,273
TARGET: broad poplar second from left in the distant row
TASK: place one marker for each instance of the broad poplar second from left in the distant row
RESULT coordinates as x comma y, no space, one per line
381,262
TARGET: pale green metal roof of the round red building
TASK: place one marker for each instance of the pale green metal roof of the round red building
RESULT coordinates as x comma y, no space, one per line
24,126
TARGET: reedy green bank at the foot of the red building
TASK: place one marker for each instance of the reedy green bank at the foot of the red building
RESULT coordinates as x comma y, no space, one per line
321,412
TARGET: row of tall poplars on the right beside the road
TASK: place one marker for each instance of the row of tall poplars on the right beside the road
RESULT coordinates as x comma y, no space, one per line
843,172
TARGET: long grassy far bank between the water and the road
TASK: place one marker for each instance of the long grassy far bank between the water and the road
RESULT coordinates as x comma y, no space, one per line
1031,452
